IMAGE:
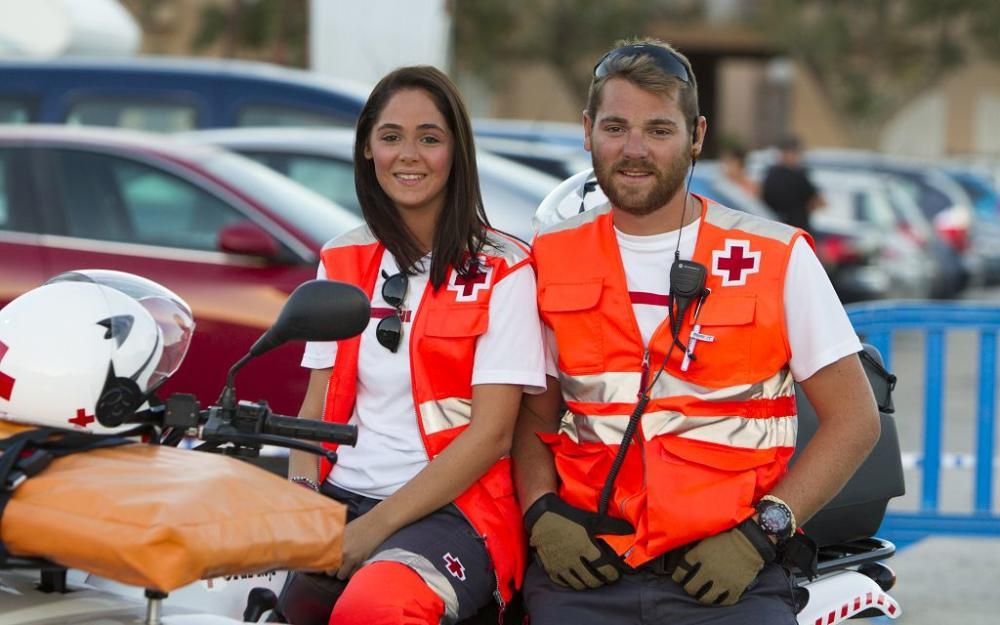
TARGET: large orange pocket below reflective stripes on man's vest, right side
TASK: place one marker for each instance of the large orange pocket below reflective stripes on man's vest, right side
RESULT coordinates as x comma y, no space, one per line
697,489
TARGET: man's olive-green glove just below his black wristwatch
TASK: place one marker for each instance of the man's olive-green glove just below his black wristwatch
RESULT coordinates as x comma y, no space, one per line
718,569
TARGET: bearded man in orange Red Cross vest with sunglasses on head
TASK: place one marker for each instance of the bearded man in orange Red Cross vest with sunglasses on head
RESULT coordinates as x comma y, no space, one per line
661,494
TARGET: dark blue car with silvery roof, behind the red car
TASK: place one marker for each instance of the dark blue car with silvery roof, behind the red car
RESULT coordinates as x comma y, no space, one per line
172,94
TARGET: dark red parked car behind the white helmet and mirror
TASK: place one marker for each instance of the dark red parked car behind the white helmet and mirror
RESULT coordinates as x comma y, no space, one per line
230,236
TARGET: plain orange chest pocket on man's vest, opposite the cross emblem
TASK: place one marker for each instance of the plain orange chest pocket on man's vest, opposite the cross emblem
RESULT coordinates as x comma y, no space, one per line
571,310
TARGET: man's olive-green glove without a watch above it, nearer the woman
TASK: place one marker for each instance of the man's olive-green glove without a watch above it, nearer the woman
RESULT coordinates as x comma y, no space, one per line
566,545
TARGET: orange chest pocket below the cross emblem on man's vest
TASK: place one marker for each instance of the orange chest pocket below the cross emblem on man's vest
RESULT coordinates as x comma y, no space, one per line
723,360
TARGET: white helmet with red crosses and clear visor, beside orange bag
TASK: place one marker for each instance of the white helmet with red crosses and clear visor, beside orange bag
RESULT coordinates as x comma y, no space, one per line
85,350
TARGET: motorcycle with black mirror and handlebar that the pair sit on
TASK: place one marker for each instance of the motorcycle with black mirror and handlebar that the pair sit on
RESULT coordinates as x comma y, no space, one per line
852,580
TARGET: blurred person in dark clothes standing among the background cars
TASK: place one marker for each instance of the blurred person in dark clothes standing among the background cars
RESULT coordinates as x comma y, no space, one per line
787,188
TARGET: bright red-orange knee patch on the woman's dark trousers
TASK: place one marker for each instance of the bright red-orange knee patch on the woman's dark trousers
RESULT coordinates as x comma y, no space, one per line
387,593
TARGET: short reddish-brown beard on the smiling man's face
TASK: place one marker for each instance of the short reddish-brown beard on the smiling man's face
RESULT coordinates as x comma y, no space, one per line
667,183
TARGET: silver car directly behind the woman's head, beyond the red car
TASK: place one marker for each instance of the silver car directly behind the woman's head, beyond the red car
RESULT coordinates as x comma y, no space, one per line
323,160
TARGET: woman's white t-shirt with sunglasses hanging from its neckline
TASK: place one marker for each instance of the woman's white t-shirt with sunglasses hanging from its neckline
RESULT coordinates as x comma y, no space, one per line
390,451
